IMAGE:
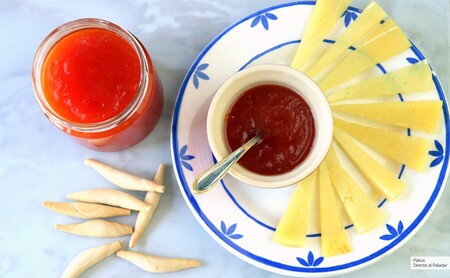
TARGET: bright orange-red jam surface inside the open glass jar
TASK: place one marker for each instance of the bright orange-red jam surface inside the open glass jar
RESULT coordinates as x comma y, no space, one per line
91,75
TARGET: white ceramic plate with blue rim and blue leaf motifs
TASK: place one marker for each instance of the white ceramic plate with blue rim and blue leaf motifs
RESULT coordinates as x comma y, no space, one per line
242,218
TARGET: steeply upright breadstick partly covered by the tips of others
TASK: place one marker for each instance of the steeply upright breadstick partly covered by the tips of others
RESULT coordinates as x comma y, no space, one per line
144,218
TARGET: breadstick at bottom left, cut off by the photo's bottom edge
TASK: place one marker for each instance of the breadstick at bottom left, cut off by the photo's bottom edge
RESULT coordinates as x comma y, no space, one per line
90,257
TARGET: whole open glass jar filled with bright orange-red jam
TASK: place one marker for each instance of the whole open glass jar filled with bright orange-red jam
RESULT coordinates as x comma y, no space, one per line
96,82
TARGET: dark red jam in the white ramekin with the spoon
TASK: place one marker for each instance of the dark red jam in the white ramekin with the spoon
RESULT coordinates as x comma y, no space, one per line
284,121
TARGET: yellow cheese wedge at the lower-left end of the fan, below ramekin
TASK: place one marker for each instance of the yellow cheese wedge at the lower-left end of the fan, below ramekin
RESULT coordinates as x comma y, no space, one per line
291,230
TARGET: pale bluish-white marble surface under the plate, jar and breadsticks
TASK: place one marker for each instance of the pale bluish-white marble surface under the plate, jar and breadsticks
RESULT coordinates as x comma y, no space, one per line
38,162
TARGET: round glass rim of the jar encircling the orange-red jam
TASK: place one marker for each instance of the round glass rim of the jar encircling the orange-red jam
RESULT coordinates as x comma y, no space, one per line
61,32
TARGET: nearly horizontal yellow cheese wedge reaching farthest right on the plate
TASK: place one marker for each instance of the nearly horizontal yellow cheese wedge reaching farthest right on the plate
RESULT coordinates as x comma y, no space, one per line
418,115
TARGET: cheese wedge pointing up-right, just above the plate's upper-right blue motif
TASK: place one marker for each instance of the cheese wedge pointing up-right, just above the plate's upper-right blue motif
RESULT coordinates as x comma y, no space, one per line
367,55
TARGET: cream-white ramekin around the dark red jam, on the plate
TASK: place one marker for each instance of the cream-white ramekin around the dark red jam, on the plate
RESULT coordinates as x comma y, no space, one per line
278,75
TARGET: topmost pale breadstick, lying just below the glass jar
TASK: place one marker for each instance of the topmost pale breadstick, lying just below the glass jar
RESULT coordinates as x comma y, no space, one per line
124,179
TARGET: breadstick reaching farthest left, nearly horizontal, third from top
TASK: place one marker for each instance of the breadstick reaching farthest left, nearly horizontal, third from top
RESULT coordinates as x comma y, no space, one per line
86,210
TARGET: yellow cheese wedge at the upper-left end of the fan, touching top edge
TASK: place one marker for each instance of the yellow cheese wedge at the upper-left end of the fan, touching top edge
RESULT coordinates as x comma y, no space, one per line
323,18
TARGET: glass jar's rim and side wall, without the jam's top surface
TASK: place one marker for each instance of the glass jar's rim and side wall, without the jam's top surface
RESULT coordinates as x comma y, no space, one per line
129,126
